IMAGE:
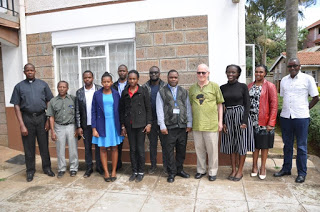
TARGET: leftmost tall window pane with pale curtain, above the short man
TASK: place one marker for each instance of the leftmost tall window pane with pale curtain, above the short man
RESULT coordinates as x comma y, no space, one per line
67,59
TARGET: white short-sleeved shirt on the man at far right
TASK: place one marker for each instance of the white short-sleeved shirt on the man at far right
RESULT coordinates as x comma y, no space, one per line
295,92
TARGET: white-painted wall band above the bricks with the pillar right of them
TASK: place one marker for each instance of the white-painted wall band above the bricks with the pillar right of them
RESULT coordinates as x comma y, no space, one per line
225,25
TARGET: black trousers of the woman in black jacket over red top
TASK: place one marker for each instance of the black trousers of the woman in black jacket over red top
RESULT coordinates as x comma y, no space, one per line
137,154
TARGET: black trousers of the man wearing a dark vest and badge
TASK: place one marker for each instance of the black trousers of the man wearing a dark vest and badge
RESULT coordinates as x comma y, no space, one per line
176,139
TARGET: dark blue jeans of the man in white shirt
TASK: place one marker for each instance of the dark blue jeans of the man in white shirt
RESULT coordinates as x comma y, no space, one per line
299,128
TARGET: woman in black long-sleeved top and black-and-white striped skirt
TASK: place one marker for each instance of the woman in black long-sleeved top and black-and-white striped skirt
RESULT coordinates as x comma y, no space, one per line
237,135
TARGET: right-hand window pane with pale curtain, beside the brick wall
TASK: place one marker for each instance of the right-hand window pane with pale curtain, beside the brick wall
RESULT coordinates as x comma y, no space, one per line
120,53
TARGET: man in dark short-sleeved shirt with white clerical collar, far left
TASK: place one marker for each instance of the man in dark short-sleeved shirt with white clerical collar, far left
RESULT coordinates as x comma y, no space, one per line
30,98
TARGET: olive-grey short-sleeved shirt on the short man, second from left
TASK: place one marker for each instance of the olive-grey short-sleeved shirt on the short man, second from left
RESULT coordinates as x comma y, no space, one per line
62,109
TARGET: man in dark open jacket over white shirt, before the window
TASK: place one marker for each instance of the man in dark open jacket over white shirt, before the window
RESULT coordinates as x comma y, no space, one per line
83,121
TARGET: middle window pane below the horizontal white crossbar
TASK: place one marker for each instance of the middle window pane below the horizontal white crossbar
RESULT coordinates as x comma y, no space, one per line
97,66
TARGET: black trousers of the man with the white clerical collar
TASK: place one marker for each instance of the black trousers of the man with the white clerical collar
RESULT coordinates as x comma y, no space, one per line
35,126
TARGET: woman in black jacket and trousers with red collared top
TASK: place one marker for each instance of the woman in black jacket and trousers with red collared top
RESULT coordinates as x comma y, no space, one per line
136,119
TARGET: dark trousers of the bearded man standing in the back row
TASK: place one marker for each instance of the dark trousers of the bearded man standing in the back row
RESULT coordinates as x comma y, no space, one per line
153,139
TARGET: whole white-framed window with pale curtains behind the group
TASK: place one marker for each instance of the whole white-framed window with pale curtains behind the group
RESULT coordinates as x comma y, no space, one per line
72,61
